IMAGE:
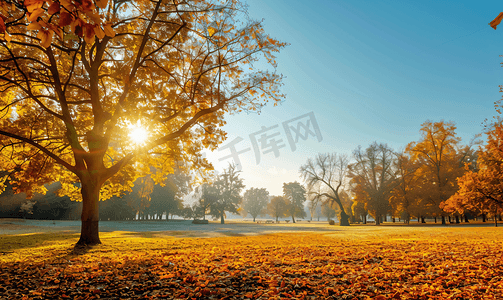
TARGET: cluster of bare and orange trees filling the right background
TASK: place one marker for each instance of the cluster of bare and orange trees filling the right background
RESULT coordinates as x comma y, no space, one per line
436,177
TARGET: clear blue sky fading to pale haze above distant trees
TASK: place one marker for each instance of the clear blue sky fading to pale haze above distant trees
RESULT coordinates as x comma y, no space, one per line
370,71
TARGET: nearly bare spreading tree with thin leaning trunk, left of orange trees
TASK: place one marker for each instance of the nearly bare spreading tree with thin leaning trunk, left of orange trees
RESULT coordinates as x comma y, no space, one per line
325,176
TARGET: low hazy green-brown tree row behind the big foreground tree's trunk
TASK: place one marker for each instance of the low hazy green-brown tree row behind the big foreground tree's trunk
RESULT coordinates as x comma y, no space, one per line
146,201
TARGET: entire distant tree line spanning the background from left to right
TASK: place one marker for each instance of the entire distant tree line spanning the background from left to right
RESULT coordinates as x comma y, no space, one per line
435,177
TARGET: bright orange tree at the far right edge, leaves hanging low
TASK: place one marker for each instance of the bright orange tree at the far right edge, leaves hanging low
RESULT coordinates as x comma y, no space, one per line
482,189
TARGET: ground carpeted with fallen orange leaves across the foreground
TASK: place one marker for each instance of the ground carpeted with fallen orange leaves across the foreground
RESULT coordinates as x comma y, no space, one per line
349,263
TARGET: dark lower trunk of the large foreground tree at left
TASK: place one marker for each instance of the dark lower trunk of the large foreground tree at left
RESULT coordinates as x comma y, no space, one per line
89,231
